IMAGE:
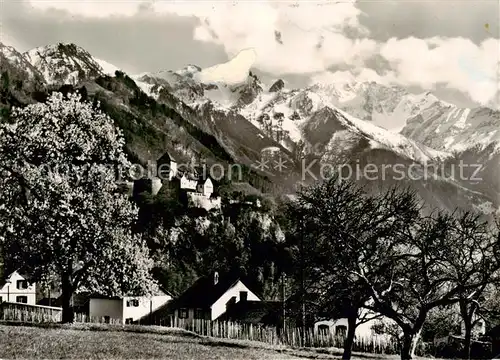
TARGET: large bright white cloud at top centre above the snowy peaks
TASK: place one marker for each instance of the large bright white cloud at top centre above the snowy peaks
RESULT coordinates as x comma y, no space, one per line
311,36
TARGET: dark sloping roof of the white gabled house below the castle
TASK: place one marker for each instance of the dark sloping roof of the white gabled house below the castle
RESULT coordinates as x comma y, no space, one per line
204,293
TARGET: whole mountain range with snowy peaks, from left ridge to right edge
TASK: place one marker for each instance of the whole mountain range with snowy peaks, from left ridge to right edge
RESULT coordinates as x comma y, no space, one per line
242,122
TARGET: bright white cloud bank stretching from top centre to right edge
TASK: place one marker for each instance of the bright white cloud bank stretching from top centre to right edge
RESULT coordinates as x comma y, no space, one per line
313,39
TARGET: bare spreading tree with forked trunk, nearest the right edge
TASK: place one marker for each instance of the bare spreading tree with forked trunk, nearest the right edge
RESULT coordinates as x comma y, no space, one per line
427,271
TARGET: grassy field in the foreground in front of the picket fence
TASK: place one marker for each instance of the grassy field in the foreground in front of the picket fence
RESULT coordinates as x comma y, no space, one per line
134,342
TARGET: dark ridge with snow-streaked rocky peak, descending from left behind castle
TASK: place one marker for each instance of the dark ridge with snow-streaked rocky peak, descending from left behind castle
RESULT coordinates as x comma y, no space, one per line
150,128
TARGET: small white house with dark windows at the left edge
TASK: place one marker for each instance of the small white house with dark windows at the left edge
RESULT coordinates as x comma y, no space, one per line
16,288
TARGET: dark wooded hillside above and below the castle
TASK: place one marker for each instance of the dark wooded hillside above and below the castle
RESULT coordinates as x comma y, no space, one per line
189,242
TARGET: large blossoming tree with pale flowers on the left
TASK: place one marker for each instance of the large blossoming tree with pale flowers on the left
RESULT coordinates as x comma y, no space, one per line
61,209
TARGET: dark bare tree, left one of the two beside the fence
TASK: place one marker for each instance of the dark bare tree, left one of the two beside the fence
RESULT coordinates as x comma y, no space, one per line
341,223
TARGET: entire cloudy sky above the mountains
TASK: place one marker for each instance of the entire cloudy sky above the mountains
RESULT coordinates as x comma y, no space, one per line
450,47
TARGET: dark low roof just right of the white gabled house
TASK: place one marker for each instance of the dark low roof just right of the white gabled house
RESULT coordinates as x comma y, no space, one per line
255,312
